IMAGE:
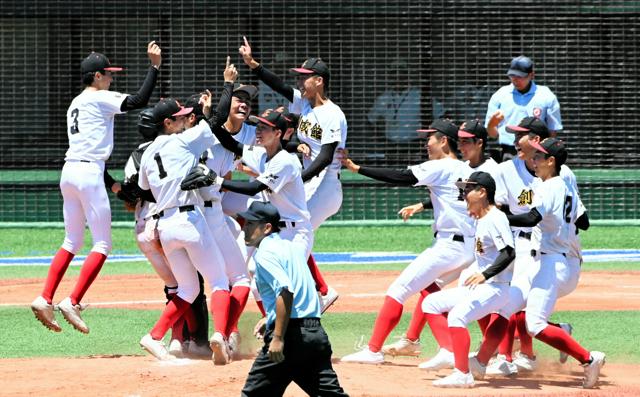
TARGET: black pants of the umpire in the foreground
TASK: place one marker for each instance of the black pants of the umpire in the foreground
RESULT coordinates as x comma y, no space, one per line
307,362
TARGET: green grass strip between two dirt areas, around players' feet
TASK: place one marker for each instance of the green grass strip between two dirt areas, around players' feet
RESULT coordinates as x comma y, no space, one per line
117,332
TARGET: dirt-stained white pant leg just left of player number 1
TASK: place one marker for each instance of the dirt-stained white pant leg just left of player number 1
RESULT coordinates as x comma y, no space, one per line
149,244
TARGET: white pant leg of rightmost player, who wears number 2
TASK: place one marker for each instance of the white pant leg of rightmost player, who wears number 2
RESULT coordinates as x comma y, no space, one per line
544,292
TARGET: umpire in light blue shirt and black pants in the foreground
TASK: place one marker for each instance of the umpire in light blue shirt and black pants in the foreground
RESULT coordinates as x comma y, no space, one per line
296,347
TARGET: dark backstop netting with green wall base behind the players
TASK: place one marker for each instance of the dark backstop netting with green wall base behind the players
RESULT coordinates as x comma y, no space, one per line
395,66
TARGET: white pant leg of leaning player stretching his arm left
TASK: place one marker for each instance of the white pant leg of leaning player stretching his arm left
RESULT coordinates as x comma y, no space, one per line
443,256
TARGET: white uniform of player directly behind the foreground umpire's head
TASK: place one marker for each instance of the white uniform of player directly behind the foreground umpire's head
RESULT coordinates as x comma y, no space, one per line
281,174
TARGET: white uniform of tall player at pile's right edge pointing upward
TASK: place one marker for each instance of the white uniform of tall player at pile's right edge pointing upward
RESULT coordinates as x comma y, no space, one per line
321,125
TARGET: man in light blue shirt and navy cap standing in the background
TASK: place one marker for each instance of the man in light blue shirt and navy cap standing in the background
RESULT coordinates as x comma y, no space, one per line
522,98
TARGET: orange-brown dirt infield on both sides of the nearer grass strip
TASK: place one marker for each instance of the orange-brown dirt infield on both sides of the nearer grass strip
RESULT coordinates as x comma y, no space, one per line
143,376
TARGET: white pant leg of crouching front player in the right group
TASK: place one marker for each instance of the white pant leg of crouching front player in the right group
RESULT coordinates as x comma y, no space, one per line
476,303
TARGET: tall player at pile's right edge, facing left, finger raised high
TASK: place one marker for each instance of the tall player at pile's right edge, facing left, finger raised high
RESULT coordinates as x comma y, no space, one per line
323,127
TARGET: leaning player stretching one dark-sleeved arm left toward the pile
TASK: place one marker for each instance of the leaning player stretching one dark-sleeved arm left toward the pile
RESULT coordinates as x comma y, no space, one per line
452,248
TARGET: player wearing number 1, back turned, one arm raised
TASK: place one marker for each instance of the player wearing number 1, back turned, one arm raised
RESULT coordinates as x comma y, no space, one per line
182,226
